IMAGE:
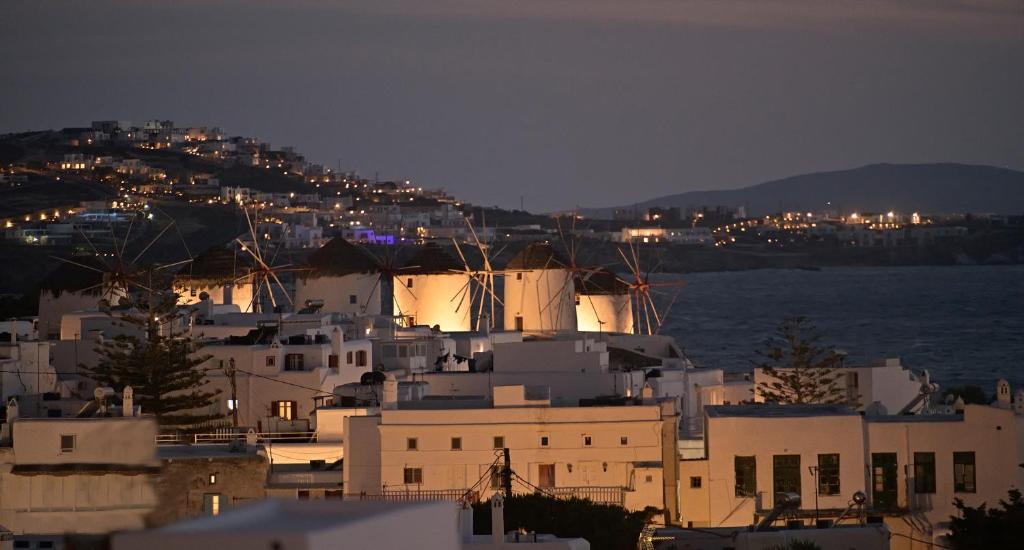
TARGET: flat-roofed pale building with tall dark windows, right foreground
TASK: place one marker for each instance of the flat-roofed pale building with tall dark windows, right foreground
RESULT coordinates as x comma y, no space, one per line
911,468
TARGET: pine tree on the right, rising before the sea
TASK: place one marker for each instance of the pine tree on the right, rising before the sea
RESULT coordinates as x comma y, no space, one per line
799,370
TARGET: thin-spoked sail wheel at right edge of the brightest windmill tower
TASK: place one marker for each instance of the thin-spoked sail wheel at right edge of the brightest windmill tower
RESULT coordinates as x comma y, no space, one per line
479,286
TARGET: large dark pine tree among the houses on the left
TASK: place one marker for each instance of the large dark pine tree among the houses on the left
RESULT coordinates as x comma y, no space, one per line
163,368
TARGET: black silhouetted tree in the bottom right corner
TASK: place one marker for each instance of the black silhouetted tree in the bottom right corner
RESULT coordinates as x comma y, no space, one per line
984,528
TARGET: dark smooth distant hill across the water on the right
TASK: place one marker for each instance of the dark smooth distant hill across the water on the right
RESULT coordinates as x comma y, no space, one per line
933,189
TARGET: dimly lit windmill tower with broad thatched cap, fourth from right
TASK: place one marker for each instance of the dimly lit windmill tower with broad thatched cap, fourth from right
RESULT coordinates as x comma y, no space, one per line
343,275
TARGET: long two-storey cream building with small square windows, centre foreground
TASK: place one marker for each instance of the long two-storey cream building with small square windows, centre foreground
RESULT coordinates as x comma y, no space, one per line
609,454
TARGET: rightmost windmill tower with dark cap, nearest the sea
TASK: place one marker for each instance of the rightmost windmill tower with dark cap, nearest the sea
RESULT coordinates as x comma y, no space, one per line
604,303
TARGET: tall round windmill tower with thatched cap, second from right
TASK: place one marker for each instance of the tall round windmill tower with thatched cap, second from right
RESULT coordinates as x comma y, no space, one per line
540,295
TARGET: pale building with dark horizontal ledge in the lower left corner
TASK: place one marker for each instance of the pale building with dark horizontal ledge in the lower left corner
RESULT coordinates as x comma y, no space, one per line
76,476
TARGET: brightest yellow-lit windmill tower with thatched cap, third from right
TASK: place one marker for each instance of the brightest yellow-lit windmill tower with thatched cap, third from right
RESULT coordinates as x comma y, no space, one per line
426,290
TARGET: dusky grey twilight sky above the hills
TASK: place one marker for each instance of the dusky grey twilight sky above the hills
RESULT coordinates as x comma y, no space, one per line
590,103
